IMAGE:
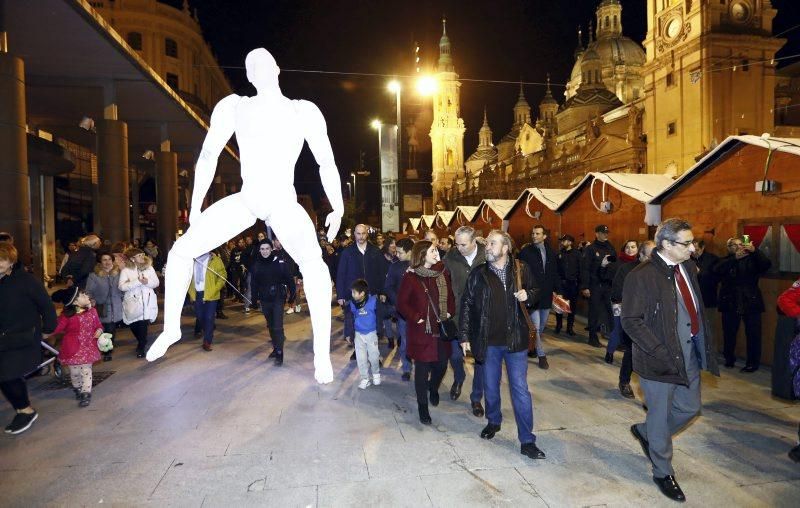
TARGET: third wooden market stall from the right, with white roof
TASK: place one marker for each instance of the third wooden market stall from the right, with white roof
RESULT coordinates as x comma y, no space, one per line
536,206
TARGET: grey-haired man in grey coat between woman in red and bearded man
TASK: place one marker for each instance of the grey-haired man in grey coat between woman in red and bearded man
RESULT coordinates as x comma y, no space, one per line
459,263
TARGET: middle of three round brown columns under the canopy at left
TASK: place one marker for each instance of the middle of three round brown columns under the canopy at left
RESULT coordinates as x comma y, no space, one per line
113,210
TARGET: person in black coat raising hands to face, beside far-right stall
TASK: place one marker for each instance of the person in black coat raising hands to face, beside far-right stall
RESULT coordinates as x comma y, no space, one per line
740,300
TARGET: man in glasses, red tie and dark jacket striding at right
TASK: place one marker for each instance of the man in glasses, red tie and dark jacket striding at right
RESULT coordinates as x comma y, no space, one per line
665,318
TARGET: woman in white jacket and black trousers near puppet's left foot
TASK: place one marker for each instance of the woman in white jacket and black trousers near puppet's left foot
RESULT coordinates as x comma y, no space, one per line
139,303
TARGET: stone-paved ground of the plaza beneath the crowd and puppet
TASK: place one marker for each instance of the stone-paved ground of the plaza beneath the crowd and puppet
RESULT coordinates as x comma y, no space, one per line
228,428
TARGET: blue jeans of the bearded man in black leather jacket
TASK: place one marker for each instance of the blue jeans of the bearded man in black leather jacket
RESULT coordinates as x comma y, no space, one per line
517,371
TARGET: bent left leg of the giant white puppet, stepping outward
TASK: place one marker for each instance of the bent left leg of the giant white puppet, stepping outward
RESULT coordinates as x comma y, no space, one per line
217,224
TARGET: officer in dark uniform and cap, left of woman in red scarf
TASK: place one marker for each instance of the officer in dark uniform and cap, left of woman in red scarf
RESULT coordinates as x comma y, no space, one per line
596,282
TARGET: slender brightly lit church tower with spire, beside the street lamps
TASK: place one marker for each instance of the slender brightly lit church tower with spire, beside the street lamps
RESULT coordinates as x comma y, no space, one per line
447,130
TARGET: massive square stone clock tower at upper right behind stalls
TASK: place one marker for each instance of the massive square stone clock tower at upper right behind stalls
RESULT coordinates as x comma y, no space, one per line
709,74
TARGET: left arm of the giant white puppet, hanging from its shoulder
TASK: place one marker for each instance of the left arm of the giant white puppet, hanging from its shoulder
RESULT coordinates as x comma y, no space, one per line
220,130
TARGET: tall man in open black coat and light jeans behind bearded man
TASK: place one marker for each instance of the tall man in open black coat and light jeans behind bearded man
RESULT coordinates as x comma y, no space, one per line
543,263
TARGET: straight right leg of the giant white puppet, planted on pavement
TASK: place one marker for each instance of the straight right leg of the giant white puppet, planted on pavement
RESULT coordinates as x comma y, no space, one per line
296,233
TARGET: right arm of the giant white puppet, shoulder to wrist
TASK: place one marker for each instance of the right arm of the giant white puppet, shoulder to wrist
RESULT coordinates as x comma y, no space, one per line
316,134
